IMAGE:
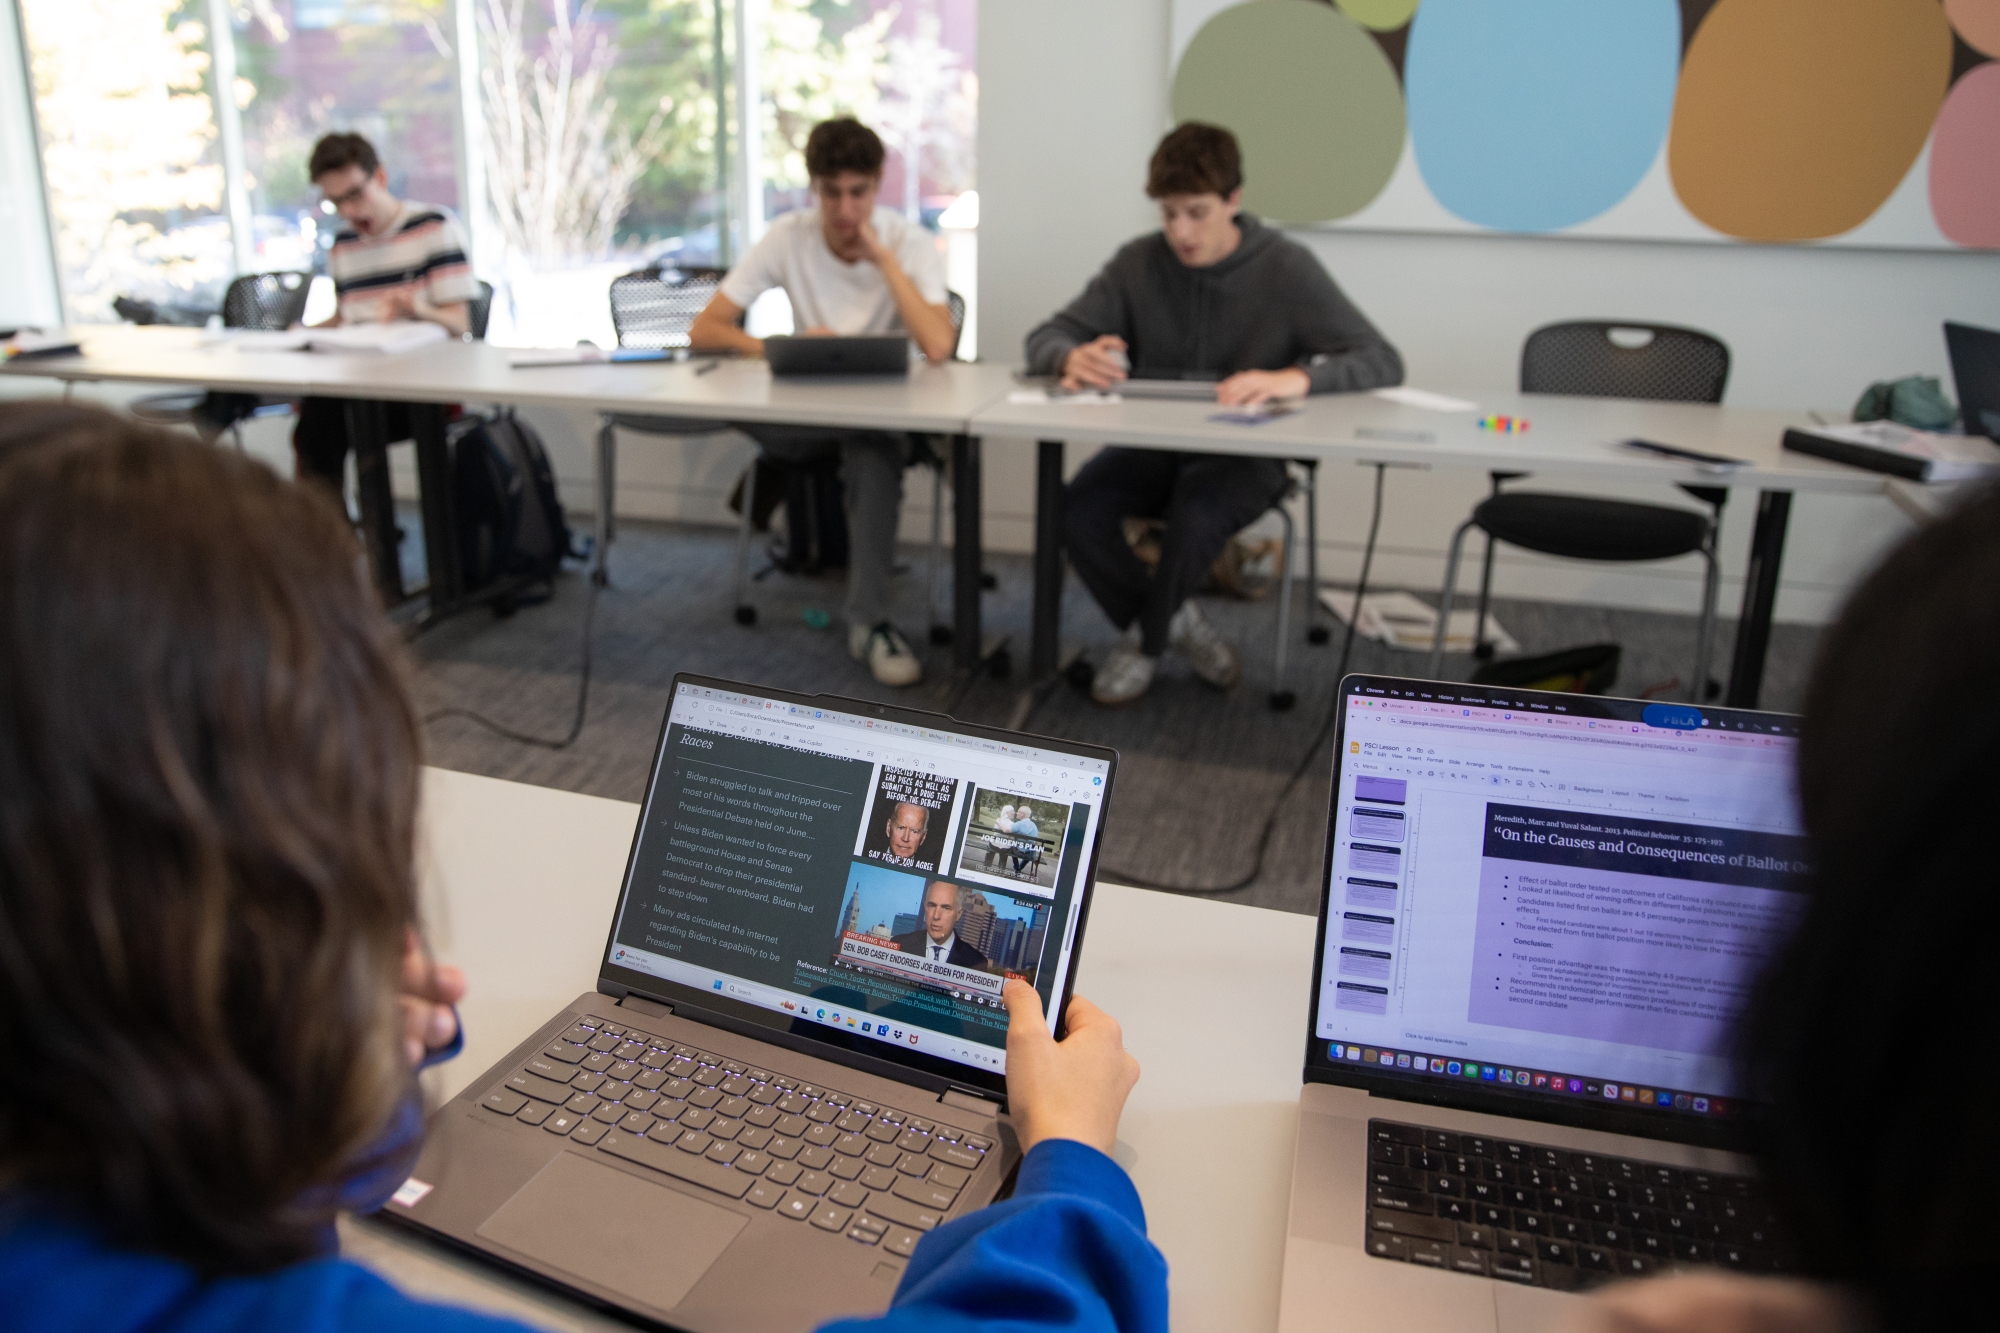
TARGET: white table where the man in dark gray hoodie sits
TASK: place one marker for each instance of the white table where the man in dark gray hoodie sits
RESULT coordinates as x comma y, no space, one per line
1569,437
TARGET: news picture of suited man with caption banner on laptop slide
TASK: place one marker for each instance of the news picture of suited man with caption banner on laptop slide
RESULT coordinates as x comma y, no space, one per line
939,932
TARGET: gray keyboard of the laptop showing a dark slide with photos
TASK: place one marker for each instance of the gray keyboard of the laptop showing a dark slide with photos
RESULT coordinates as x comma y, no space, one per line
841,1164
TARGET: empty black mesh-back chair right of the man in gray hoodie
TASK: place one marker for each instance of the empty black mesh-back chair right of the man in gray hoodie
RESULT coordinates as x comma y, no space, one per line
1605,359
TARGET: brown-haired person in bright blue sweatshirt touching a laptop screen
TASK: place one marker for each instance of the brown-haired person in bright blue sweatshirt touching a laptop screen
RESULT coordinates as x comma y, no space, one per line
213,992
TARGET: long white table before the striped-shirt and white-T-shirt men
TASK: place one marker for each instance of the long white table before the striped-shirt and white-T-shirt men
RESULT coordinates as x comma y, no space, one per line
933,399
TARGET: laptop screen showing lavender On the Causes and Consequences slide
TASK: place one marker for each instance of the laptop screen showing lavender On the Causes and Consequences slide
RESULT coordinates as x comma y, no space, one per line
1551,906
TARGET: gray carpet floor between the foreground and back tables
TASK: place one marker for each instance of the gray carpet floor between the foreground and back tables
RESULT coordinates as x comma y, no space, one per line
1199,770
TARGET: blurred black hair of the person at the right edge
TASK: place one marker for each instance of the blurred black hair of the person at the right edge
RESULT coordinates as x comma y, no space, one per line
1871,1036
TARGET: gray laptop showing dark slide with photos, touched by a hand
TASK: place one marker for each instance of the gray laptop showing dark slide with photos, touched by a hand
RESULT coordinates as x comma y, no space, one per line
795,1058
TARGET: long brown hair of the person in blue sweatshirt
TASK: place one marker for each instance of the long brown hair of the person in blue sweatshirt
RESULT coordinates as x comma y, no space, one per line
209,778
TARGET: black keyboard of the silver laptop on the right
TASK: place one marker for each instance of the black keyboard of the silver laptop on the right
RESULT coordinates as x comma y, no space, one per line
1555,1218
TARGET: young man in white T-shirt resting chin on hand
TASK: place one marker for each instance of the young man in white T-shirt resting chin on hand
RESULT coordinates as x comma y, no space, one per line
847,267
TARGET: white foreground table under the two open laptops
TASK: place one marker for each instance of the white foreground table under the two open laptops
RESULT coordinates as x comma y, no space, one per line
521,886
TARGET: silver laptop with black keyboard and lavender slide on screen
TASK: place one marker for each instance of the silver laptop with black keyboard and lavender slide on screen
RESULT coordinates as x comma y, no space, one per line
1541,920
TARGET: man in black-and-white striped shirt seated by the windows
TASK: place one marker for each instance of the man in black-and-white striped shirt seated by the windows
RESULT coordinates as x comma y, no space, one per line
391,261
